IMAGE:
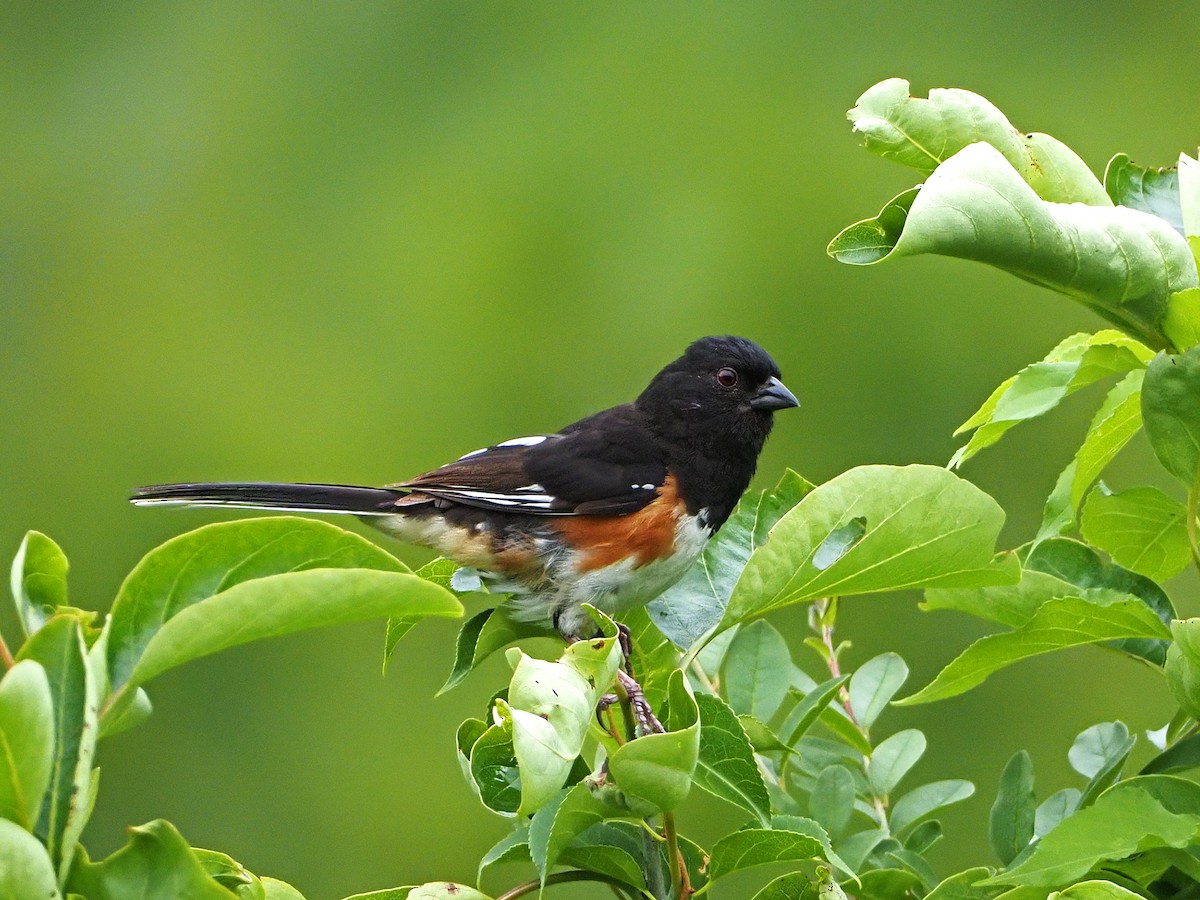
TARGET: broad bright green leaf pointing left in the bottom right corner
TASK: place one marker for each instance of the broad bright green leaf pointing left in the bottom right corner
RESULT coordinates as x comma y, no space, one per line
1117,826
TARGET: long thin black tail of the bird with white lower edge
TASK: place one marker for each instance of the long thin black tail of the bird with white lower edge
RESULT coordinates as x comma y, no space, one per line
267,495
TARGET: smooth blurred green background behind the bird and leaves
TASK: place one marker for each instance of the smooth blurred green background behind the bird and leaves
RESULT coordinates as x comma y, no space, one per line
349,241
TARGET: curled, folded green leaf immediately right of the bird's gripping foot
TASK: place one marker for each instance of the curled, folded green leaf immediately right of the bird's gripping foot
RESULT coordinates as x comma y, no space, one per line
655,772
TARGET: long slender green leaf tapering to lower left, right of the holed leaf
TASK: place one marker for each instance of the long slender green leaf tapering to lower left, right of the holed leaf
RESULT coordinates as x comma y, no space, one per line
1058,625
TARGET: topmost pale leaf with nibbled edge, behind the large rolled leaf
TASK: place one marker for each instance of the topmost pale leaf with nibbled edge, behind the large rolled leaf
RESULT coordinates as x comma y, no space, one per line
925,134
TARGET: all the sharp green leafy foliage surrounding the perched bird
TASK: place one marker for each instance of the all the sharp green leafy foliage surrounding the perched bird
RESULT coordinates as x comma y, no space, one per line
592,788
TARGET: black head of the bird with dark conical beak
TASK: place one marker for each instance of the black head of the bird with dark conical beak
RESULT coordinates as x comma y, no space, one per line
719,397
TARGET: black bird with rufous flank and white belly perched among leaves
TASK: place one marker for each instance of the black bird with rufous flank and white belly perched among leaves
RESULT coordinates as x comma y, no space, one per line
609,512
